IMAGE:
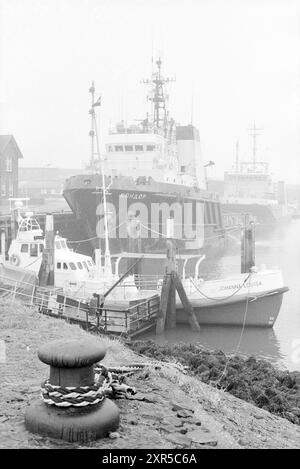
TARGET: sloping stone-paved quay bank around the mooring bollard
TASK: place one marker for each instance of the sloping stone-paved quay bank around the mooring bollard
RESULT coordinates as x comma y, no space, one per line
171,409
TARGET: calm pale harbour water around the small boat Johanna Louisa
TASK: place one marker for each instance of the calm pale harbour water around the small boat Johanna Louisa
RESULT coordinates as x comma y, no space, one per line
278,247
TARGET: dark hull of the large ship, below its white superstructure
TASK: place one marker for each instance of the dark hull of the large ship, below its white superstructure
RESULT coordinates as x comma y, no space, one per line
197,217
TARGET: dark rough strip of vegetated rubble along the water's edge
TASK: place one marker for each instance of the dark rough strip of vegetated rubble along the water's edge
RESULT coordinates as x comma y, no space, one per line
254,380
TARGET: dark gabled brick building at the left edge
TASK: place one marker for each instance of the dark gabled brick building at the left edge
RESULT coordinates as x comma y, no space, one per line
9,163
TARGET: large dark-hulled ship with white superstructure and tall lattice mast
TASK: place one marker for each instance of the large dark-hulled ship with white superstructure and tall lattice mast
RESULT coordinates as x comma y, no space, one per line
154,182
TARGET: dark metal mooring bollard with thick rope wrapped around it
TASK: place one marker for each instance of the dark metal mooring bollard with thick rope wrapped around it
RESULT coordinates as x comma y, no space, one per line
74,406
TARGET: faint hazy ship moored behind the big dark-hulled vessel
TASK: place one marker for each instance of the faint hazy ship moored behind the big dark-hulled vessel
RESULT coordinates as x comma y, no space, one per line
249,189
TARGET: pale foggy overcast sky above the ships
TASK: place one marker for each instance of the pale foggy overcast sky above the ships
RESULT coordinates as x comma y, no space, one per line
236,60
